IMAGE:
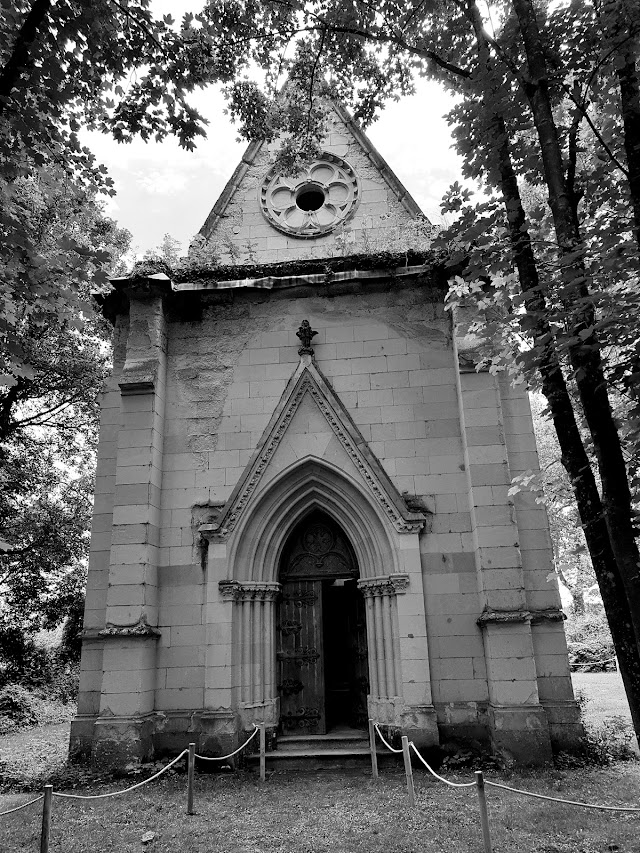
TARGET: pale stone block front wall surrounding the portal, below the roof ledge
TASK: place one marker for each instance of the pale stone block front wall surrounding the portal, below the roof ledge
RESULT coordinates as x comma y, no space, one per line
453,439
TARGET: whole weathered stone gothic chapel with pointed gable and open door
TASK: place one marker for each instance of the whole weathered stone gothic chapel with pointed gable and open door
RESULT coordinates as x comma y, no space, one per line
302,514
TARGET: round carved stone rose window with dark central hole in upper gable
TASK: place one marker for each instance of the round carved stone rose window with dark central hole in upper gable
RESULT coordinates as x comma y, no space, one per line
318,199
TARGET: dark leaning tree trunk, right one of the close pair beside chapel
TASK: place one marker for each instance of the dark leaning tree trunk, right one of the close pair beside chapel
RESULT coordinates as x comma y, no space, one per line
585,359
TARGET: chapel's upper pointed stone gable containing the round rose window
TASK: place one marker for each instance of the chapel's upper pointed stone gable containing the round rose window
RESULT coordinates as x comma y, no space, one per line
346,202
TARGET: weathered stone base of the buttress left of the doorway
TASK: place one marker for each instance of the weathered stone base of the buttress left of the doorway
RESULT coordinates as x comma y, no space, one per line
121,741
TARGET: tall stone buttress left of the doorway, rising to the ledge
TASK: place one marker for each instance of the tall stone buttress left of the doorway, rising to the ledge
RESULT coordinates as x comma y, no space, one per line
125,726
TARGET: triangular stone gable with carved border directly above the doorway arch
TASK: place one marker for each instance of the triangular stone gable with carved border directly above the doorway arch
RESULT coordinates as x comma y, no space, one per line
307,396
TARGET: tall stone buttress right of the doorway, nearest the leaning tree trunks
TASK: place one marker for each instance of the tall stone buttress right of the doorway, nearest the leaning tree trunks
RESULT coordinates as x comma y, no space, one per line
517,721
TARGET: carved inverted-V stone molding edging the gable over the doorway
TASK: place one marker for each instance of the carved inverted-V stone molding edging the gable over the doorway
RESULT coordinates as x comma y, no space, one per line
308,380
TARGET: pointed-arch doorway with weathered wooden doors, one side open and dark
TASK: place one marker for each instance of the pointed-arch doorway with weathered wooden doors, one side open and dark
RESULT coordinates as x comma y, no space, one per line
321,646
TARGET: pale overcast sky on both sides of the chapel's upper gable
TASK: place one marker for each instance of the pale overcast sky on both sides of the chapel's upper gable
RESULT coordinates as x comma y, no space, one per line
164,189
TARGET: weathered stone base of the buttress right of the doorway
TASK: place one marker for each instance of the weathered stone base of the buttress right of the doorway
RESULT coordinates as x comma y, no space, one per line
520,733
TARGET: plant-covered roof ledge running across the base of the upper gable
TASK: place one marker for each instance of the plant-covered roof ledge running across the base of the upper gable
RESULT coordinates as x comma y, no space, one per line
190,272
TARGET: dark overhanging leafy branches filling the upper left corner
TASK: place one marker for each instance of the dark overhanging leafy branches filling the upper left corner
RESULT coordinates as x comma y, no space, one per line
109,66
